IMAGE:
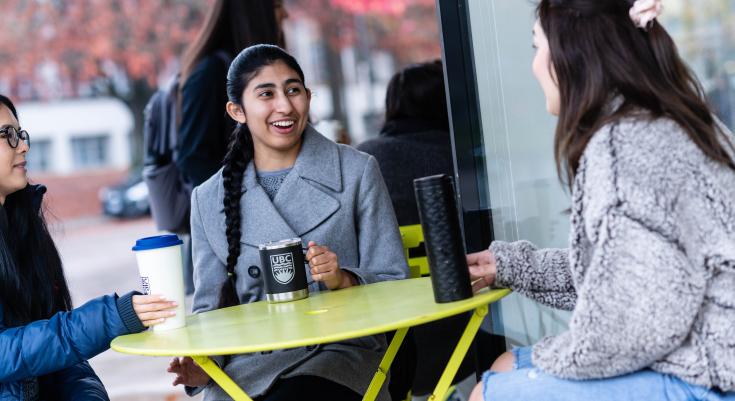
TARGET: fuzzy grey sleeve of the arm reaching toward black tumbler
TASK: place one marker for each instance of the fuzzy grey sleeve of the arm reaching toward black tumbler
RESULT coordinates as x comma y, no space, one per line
540,274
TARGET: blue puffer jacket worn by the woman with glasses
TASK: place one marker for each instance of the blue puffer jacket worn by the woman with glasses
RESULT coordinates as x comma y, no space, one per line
46,359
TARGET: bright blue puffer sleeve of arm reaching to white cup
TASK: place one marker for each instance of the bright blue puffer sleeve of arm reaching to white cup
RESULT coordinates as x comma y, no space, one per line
64,340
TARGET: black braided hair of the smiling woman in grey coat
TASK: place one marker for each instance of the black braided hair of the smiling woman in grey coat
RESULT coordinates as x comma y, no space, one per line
240,151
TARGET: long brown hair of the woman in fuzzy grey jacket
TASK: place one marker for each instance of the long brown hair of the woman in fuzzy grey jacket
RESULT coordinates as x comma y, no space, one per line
597,51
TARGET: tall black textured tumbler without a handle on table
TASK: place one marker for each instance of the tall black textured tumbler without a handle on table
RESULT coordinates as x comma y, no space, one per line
445,252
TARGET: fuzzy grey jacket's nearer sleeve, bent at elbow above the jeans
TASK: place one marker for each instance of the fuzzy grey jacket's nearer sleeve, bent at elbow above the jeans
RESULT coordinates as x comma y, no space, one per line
636,304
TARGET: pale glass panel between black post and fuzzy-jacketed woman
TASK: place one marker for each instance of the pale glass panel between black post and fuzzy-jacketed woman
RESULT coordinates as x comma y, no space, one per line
526,198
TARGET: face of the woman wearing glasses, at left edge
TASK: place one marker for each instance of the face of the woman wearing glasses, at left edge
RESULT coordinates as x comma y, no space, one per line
12,160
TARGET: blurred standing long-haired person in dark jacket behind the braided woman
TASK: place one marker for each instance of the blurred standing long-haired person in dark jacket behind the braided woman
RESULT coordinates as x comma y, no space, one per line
229,27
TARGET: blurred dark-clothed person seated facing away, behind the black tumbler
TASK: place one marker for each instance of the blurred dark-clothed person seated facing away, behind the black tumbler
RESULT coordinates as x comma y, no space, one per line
415,142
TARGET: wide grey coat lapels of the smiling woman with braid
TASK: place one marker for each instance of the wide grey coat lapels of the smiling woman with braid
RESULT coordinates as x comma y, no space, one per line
303,201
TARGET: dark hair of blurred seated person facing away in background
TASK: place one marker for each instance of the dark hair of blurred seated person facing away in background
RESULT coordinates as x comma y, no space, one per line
418,92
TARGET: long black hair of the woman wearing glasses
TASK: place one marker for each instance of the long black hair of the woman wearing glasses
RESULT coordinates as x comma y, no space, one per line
32,283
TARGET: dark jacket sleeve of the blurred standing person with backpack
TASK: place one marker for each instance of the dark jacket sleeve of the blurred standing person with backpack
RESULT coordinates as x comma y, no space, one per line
202,137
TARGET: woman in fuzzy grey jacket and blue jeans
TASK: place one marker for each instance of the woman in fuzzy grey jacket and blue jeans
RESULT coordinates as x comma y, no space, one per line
650,271
